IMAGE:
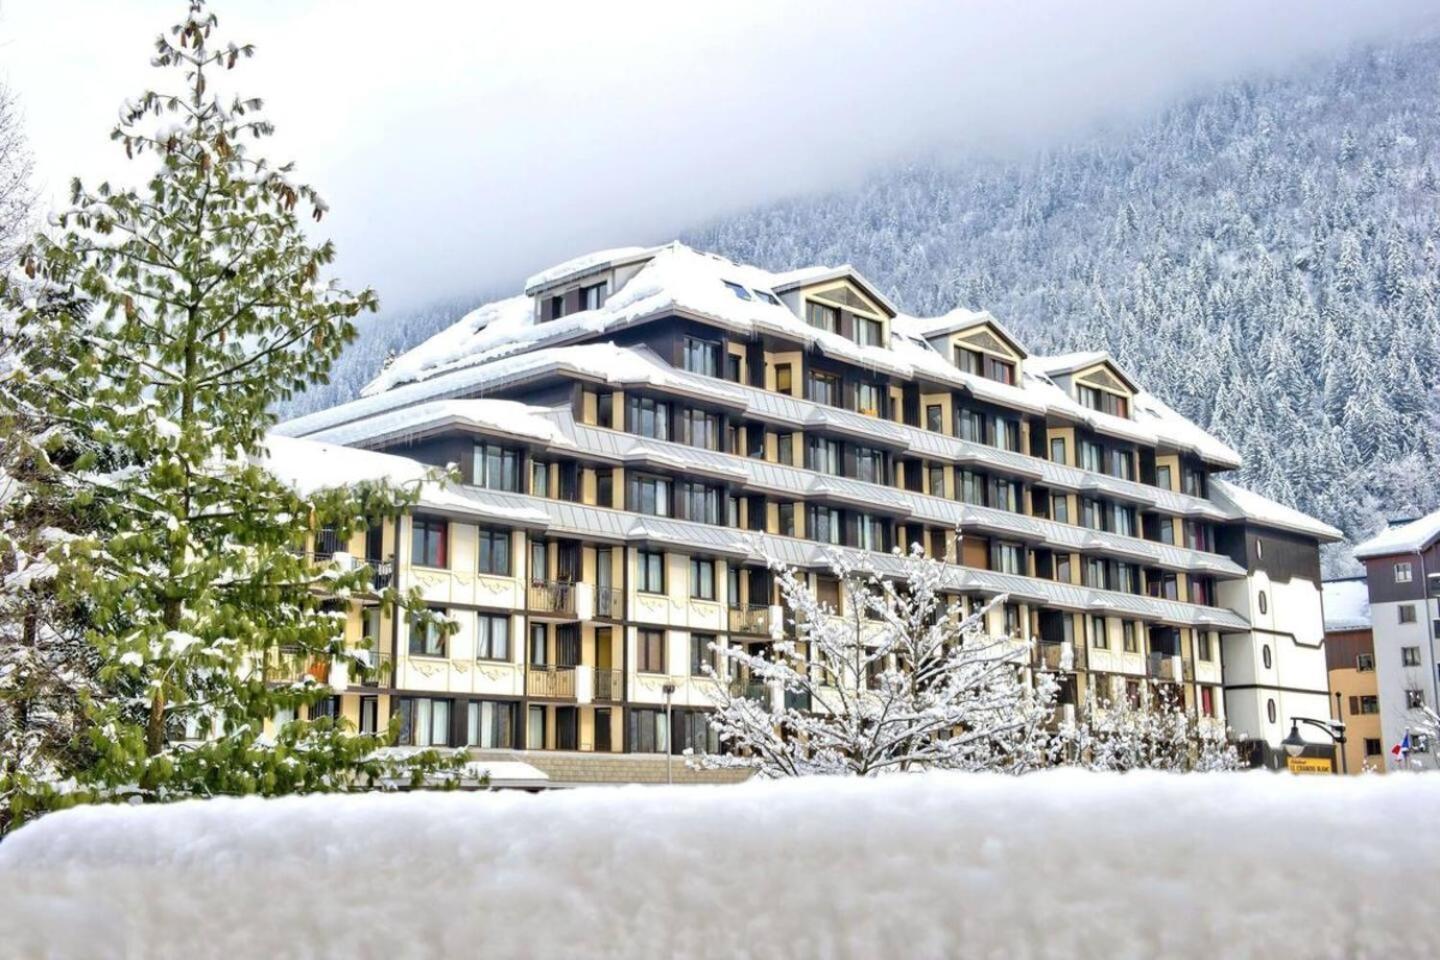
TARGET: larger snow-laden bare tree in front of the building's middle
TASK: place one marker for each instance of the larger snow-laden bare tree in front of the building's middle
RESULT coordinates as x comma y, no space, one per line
896,680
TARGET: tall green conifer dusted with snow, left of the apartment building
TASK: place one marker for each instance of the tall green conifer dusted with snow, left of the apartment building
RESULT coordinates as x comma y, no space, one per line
189,309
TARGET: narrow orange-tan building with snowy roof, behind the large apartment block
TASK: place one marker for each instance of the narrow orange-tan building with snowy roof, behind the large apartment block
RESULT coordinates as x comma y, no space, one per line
1350,653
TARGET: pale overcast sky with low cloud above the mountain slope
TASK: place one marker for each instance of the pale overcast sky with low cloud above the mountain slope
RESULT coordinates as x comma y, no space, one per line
469,145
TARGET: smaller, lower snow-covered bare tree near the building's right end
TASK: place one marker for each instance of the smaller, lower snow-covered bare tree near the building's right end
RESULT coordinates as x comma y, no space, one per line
1151,733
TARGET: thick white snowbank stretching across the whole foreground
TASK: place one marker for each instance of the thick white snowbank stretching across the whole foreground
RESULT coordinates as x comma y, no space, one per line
1061,864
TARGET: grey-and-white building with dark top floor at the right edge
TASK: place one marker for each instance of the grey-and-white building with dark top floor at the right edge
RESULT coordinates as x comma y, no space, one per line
1403,581
